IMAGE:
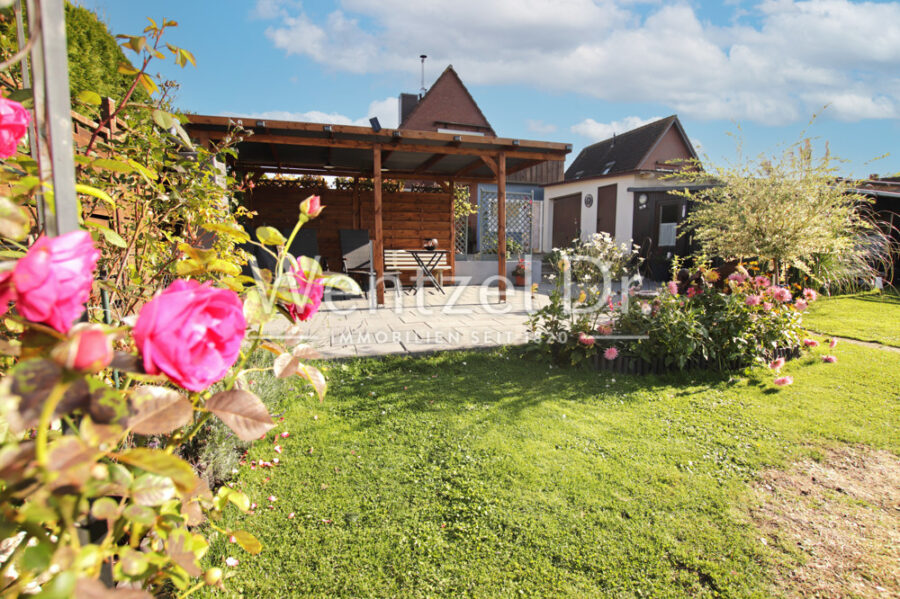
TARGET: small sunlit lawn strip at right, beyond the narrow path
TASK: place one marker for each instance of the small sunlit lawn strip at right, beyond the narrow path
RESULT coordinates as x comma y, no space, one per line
865,316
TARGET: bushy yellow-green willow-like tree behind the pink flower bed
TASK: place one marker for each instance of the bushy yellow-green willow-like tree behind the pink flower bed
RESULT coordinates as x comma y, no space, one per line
787,211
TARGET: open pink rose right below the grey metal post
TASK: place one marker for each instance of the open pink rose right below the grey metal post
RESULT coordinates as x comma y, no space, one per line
53,280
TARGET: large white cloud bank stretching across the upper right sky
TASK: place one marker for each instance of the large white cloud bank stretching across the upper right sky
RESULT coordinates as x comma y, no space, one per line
800,55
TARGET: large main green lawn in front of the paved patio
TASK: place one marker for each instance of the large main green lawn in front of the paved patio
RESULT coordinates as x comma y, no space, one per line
486,475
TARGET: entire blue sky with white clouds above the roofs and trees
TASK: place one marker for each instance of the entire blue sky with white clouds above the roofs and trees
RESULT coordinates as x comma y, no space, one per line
563,70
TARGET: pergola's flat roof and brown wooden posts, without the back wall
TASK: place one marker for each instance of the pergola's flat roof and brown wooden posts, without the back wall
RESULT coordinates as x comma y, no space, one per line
347,151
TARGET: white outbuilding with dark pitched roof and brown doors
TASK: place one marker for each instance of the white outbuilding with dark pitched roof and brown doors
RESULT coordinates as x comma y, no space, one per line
617,185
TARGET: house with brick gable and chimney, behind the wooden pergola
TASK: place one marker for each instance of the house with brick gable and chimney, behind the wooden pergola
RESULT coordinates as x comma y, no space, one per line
448,107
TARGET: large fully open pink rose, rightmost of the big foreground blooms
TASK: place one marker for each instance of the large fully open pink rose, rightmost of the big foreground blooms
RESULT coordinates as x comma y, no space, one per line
191,332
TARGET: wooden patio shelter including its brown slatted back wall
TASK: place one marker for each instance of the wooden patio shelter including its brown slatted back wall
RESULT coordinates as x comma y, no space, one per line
395,220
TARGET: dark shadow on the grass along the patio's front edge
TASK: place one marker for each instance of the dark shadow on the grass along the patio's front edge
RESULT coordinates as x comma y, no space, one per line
499,381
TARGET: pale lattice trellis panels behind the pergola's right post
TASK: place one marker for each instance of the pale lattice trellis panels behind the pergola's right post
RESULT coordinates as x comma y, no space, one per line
520,210
